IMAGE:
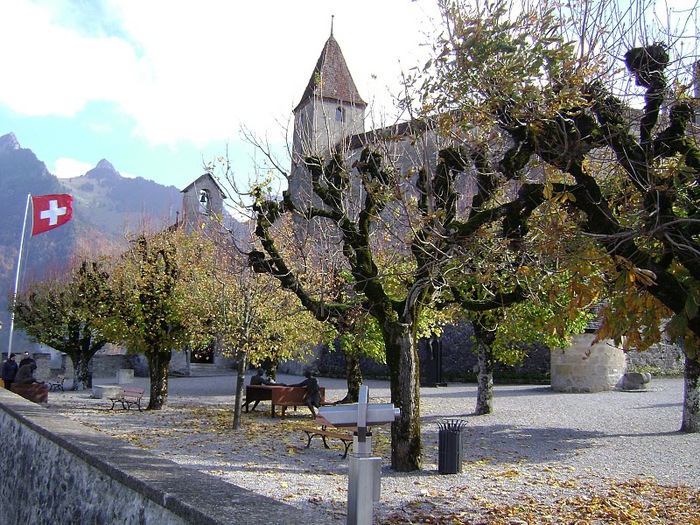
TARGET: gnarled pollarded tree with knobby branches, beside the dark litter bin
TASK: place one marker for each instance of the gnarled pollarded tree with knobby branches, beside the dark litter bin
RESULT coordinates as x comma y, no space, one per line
430,233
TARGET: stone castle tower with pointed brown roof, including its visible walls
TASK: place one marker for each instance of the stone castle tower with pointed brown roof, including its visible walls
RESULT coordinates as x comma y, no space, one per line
330,110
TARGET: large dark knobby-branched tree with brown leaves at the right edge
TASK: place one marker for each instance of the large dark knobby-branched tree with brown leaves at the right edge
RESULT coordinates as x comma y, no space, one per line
628,177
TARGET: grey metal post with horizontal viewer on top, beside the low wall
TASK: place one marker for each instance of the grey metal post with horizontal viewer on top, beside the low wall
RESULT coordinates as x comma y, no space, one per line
364,477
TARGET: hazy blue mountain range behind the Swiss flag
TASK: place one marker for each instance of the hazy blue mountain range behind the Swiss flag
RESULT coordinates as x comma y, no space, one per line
106,207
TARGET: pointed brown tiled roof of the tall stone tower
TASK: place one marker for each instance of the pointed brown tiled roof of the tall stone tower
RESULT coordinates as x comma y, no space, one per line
331,79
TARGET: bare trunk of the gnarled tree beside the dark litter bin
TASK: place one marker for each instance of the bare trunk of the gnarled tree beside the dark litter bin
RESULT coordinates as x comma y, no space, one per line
402,361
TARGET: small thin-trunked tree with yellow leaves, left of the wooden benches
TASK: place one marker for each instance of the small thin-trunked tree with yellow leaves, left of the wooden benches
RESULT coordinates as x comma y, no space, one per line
251,318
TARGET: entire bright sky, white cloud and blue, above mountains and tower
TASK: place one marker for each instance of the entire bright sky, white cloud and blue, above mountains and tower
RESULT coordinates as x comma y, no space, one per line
159,87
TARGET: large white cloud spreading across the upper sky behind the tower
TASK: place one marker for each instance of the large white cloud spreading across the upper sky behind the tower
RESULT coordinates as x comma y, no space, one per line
196,71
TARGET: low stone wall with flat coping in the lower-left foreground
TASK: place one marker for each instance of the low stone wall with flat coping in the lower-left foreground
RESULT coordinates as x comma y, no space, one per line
65,472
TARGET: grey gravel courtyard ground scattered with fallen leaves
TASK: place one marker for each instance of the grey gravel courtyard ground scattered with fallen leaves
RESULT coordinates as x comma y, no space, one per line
537,448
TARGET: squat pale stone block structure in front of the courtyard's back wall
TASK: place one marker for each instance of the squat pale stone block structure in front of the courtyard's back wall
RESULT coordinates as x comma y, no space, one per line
587,367
